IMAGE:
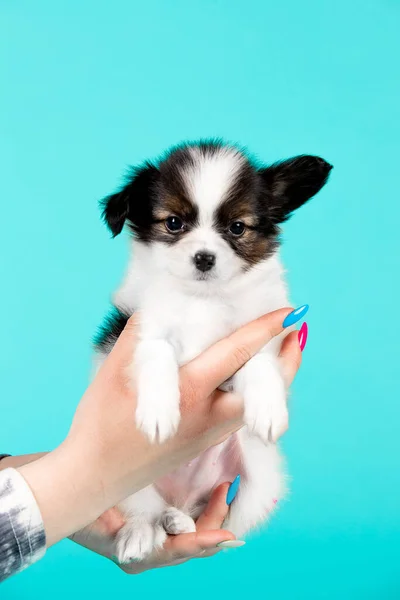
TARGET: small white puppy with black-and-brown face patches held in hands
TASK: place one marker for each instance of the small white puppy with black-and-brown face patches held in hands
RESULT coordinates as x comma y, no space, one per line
205,233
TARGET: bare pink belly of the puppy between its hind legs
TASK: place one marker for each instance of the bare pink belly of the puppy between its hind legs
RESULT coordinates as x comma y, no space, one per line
189,487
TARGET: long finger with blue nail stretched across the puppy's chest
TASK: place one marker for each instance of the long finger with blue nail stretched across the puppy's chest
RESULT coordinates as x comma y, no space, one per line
227,356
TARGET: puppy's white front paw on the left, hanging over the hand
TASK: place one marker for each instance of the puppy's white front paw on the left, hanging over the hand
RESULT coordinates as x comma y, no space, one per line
157,413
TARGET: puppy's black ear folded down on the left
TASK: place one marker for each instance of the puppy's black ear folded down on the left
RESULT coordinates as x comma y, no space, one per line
133,202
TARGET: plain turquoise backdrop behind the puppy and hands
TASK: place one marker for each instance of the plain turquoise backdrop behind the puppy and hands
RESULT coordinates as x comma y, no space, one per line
89,87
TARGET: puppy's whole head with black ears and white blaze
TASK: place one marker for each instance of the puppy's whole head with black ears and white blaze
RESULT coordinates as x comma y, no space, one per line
207,213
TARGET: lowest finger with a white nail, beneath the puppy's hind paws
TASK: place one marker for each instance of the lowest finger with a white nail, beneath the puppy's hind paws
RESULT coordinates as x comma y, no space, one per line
191,544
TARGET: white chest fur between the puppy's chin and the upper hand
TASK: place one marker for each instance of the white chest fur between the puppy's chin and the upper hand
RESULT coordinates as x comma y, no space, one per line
193,318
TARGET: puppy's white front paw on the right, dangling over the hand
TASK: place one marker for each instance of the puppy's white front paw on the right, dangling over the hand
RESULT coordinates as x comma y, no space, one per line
265,411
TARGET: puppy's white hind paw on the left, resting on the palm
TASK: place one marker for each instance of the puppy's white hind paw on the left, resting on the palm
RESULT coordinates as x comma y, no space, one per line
137,539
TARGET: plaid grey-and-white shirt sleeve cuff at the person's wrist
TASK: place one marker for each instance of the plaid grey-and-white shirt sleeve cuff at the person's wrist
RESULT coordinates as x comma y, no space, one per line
22,535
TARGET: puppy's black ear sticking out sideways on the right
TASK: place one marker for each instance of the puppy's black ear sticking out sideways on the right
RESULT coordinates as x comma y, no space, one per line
292,182
